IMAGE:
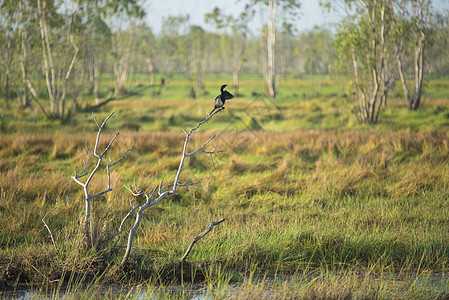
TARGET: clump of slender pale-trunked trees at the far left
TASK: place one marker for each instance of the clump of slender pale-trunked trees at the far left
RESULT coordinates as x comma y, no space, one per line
51,38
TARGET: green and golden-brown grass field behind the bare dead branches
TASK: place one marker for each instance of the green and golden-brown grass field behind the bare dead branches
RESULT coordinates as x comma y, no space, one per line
342,209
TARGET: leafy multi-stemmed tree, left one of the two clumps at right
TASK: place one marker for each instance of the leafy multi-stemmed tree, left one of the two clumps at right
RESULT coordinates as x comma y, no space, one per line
365,48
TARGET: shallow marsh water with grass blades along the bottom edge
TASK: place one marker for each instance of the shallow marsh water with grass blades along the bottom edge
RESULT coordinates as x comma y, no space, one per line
408,285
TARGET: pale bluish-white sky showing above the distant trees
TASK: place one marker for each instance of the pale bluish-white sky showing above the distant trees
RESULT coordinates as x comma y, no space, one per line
310,13
